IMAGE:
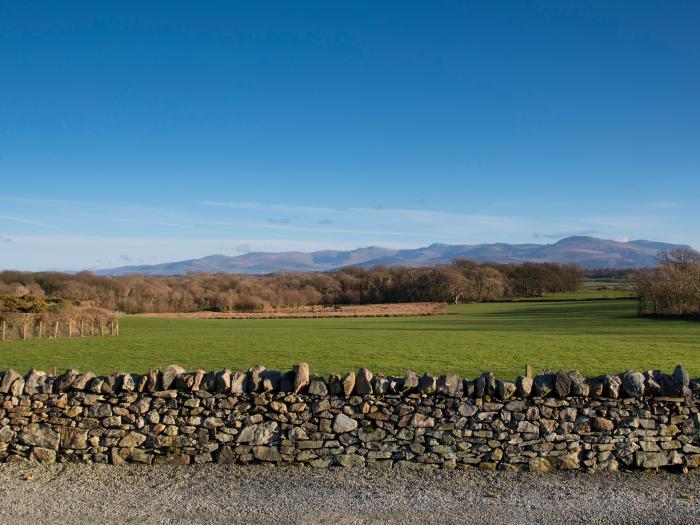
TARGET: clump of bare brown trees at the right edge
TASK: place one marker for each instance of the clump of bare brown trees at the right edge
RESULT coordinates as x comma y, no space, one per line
673,287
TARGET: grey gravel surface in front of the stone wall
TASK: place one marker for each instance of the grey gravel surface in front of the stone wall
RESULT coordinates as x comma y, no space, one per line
258,494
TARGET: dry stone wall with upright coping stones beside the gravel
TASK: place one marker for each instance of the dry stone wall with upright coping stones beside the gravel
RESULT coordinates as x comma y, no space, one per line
549,422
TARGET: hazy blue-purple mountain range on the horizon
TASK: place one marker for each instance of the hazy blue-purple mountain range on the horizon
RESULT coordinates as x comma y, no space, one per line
589,252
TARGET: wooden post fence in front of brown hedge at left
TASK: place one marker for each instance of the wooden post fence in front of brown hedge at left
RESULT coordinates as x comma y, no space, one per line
19,326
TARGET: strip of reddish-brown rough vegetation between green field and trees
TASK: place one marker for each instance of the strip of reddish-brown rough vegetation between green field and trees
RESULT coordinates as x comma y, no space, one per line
322,311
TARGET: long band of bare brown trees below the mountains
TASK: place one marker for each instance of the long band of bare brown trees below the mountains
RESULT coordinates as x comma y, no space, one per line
462,281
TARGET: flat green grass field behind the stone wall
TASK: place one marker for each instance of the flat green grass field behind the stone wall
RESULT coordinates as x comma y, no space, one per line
595,336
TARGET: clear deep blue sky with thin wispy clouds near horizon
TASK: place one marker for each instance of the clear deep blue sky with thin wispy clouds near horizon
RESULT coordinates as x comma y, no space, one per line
142,132
